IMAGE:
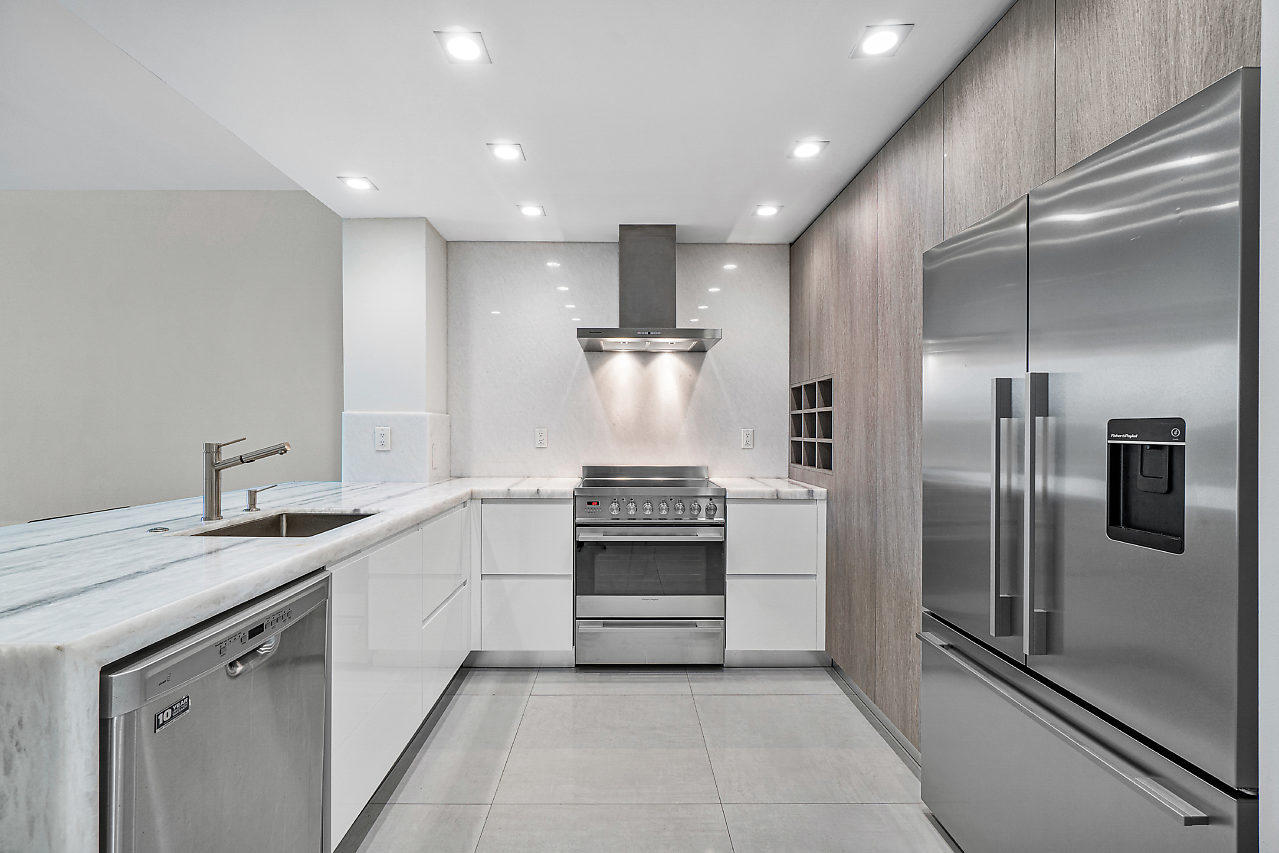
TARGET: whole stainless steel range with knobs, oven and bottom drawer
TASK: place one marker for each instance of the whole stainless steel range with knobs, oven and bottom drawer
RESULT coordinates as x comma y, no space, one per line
649,566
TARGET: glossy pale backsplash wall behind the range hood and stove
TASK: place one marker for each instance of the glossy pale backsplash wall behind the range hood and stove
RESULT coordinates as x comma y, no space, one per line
522,369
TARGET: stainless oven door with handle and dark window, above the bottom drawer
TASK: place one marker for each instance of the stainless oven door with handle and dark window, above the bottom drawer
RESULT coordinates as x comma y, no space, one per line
650,572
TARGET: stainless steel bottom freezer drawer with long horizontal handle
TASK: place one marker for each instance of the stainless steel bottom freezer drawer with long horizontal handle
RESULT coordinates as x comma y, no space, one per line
1011,765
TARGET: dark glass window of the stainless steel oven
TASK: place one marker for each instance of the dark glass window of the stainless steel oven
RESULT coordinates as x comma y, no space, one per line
650,568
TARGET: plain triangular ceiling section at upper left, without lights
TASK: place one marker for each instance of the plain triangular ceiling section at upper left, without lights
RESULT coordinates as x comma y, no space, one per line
76,113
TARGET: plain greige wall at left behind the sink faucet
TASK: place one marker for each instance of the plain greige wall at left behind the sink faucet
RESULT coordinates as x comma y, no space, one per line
137,325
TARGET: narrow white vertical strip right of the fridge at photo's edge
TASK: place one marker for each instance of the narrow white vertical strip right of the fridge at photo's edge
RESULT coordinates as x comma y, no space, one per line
1268,572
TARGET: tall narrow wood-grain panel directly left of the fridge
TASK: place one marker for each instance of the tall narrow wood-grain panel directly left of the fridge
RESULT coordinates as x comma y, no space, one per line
910,215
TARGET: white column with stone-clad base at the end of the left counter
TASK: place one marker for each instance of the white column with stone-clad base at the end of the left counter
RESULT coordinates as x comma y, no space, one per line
395,334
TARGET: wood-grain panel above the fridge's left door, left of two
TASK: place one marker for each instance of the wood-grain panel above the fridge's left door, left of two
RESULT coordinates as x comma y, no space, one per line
1000,113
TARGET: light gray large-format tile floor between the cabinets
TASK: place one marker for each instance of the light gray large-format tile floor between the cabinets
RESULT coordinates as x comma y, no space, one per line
654,760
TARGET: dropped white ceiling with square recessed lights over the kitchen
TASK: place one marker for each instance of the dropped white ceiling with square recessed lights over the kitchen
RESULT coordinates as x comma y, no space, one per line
629,112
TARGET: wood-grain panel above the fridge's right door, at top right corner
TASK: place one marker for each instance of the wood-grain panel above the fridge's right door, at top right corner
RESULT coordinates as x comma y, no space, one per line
1121,63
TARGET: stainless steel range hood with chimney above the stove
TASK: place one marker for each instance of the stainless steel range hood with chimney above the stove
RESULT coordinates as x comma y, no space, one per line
647,300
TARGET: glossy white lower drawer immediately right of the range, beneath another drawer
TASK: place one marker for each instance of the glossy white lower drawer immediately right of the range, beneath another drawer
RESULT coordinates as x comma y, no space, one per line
772,613
